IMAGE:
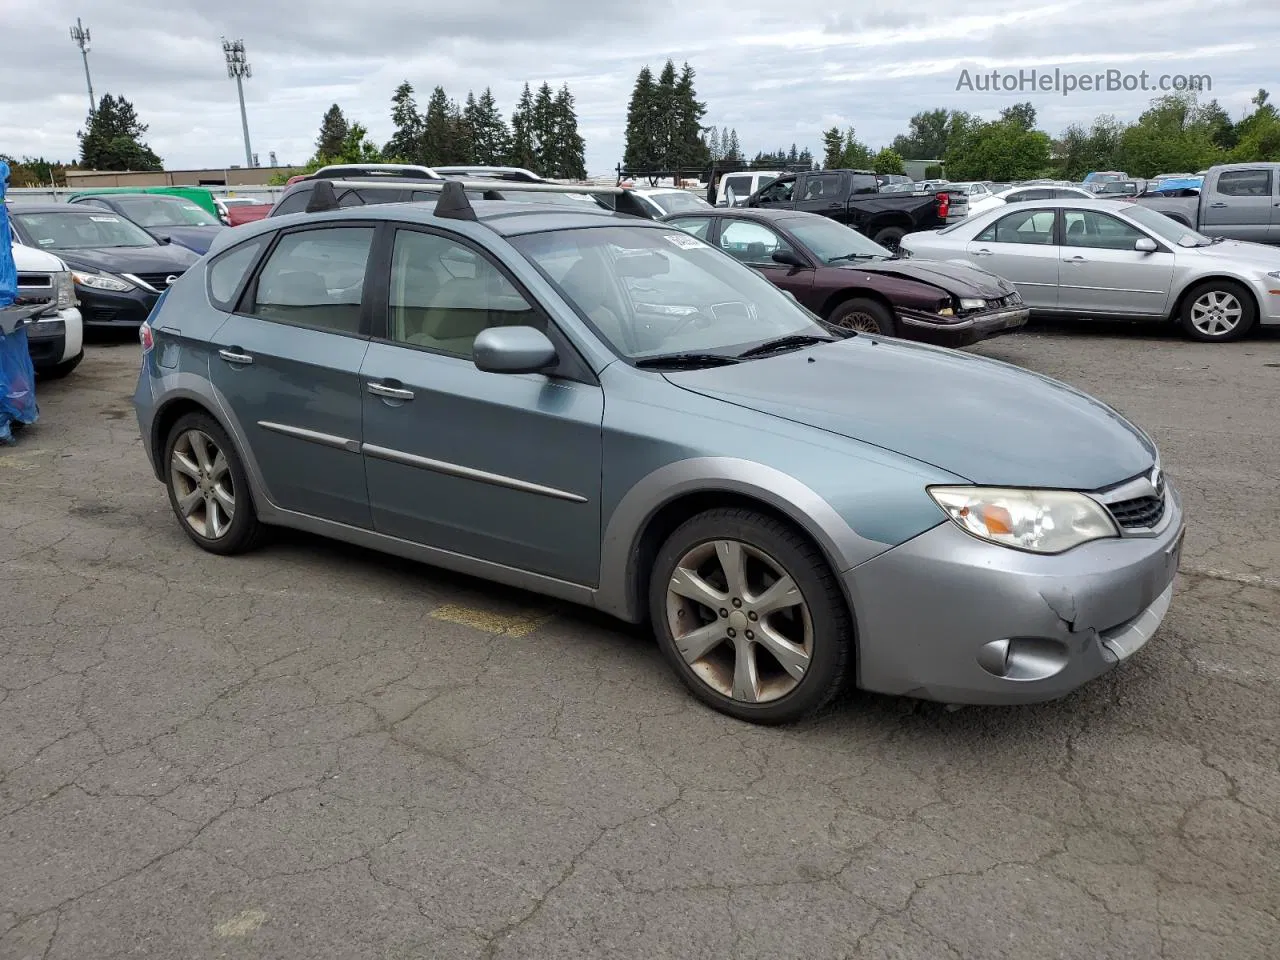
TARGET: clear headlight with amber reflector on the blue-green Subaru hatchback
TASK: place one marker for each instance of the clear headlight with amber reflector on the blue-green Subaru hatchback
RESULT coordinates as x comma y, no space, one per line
1041,522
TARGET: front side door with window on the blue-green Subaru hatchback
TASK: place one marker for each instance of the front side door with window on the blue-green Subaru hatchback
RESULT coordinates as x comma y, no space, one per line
501,468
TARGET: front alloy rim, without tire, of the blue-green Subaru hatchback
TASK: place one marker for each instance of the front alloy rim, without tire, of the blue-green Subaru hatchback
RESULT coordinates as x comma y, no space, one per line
740,621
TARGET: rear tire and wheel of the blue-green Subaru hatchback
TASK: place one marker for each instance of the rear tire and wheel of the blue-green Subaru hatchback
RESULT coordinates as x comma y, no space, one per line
211,524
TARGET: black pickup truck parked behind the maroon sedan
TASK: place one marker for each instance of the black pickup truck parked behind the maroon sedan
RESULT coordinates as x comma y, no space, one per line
853,198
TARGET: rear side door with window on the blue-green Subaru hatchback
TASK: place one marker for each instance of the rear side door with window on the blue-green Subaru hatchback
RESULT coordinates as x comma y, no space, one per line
287,364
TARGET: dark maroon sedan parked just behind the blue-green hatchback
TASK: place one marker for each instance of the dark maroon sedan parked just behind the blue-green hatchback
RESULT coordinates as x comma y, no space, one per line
853,282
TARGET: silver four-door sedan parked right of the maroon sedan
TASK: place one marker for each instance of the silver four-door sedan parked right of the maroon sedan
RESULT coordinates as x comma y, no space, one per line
1116,260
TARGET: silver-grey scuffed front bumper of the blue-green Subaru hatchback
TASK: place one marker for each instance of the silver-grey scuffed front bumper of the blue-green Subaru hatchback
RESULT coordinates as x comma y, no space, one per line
954,619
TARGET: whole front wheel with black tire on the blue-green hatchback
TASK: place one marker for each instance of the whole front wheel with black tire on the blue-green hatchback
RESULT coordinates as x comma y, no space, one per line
813,633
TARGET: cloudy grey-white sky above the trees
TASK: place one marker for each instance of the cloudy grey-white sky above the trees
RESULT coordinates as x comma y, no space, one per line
778,76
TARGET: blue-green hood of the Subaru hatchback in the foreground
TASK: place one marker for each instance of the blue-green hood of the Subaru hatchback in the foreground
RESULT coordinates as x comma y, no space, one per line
980,419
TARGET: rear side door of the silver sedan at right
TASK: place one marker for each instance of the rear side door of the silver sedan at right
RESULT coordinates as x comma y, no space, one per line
1022,248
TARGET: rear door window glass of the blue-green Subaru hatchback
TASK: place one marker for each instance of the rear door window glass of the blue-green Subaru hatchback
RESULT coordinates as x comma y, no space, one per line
316,278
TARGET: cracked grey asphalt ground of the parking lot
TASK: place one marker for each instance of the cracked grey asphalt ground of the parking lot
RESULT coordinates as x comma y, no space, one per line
317,752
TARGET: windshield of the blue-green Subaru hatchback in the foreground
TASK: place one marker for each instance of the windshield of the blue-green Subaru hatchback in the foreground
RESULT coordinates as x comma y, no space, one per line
657,292
